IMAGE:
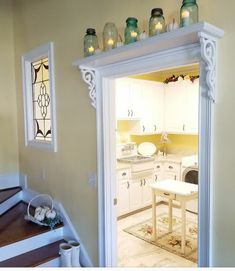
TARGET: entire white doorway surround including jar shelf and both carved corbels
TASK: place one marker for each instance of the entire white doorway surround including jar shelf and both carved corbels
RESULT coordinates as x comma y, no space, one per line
185,46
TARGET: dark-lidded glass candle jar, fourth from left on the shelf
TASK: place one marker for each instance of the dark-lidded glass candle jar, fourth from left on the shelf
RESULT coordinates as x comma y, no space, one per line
156,22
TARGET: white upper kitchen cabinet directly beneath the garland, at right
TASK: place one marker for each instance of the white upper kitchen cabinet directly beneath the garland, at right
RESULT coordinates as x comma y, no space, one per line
181,107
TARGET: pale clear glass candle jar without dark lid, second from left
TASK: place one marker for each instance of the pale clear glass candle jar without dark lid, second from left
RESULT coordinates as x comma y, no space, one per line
110,36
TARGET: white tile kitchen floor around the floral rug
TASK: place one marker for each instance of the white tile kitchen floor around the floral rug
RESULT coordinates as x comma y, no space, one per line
134,252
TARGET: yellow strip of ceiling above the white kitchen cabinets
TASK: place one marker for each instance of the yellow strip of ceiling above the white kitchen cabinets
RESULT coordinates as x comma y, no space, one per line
160,76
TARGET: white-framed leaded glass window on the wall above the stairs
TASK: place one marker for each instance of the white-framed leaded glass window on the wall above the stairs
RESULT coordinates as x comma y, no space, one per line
39,98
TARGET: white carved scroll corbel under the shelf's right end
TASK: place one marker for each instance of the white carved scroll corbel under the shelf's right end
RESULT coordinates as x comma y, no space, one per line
208,54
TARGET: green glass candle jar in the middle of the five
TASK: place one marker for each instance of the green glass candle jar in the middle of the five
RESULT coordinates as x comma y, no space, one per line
131,31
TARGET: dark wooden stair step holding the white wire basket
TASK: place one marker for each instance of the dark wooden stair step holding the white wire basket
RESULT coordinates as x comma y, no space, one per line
13,226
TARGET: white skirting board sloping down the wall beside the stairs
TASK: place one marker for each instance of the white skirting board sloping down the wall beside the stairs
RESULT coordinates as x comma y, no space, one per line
69,232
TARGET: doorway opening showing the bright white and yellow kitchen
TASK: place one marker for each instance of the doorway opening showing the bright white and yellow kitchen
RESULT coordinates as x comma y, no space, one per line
157,149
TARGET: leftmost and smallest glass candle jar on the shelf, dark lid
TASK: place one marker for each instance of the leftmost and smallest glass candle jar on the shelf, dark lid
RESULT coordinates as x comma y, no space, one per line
90,42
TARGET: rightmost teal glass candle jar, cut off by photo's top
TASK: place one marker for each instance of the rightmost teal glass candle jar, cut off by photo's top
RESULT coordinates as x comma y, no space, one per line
188,13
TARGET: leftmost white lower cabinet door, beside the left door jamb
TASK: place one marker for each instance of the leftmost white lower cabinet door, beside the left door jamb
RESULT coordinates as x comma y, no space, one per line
123,197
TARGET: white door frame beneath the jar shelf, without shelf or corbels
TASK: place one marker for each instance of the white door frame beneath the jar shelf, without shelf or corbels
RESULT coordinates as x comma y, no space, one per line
107,145
